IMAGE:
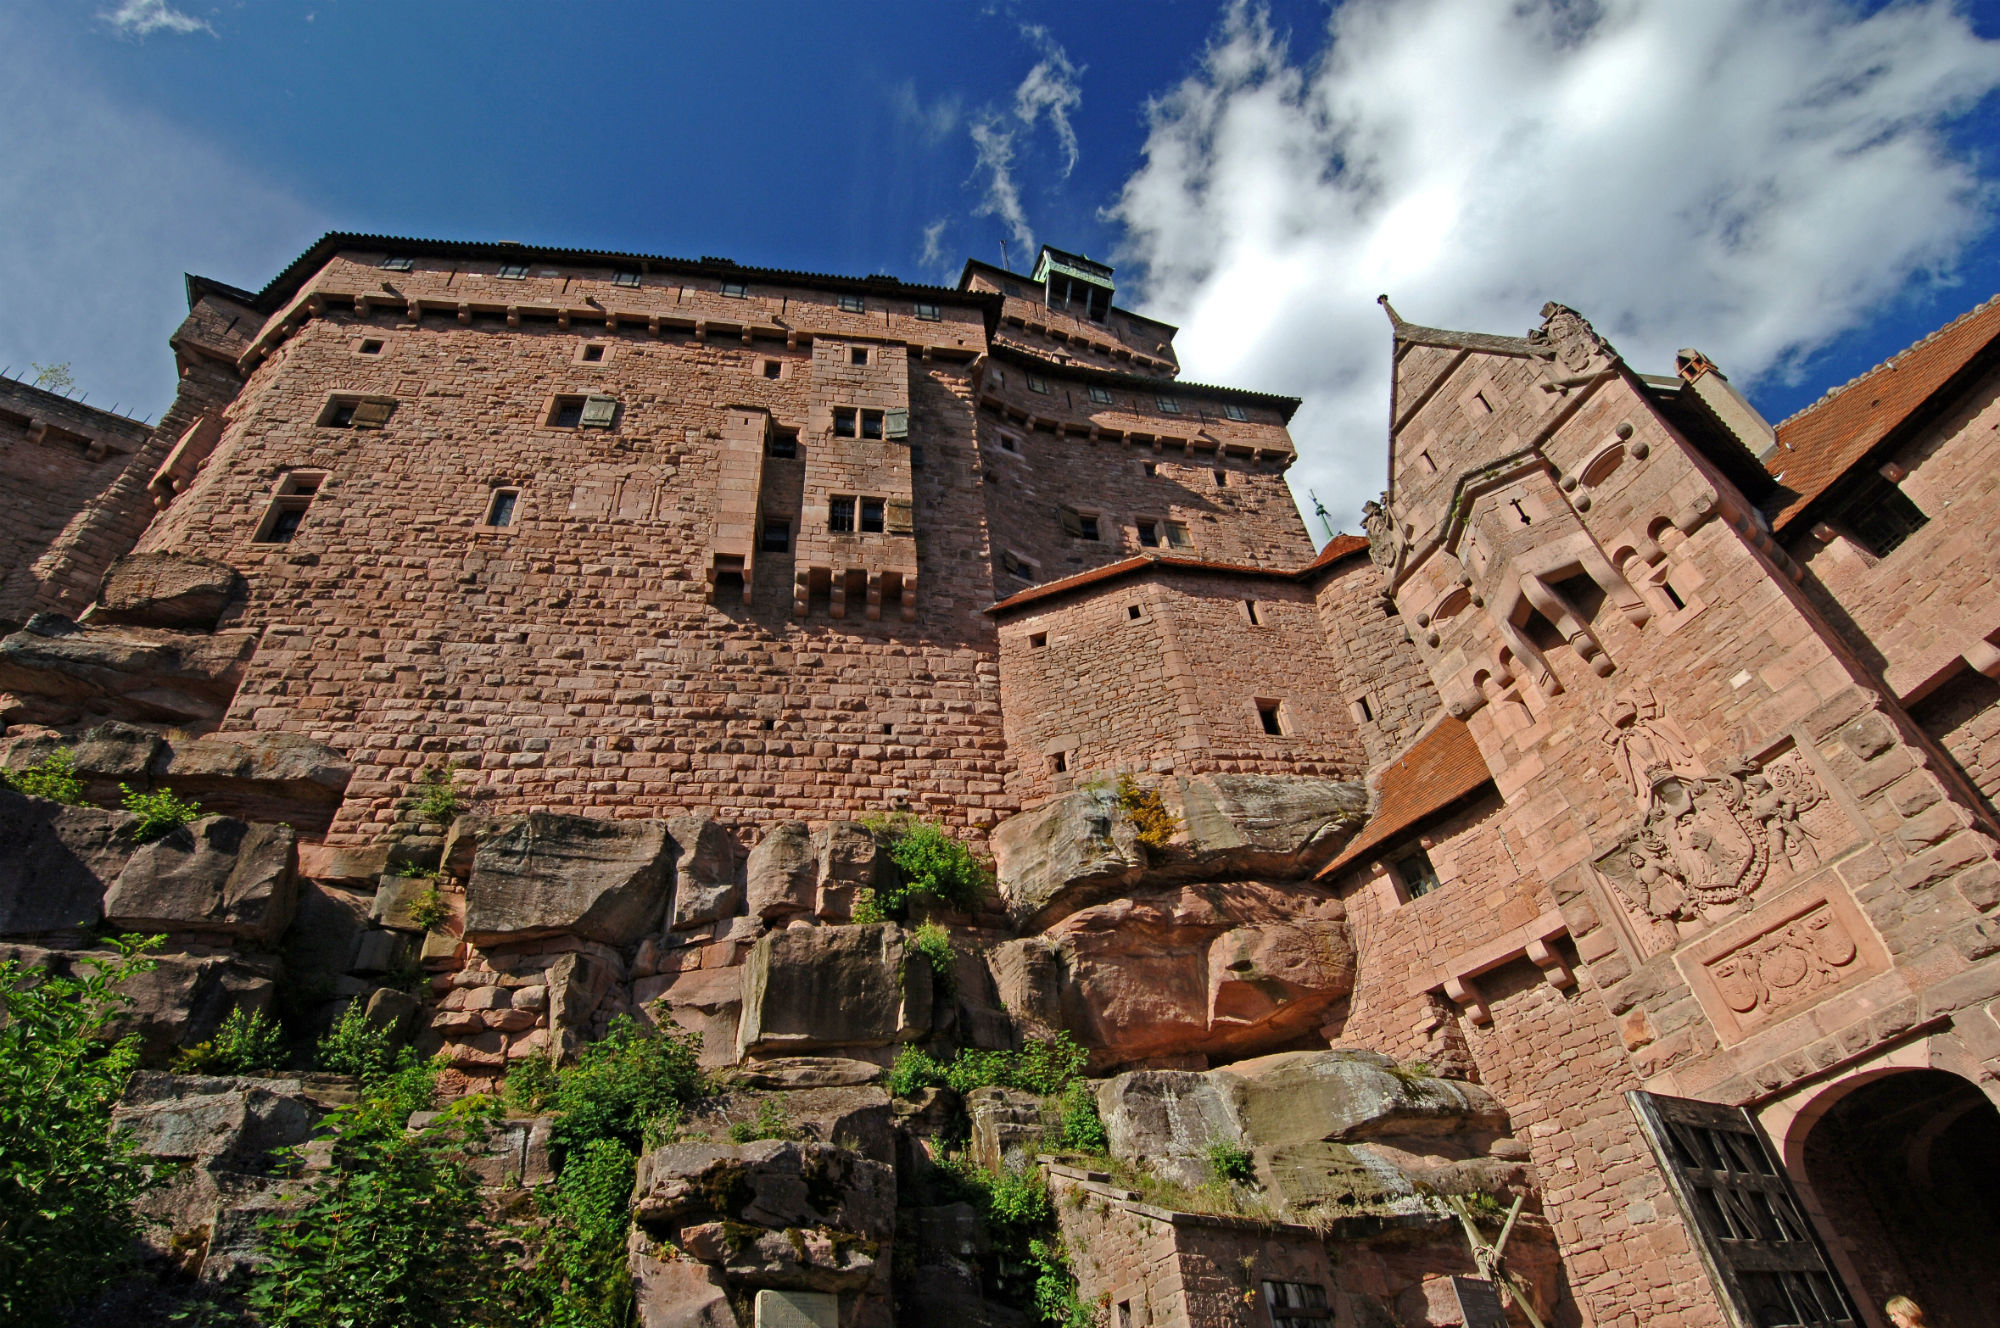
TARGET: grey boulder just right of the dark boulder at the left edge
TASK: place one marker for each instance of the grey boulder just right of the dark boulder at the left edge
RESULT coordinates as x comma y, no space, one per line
215,875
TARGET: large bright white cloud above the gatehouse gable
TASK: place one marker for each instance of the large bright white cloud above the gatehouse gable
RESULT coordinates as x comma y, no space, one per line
1749,179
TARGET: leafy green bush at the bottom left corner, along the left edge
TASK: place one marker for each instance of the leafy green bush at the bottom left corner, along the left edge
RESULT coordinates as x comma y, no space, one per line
67,1181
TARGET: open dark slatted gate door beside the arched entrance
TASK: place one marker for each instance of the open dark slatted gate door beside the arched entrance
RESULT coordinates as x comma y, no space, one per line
1745,1215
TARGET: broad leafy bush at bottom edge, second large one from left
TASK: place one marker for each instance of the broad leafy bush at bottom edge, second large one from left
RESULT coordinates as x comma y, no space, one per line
393,1235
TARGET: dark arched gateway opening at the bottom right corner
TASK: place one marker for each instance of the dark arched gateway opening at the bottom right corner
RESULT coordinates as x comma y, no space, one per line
1905,1175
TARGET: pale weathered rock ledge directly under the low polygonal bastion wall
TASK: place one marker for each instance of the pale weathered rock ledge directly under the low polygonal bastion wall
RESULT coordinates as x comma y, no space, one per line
1083,849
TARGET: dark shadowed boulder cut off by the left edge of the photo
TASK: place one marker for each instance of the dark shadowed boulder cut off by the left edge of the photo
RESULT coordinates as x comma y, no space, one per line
57,863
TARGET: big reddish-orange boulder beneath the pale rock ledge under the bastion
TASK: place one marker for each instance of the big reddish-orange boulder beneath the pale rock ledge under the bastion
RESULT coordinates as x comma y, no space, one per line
1183,971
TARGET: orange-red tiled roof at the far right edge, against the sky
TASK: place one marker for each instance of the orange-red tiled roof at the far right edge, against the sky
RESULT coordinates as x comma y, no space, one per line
1831,437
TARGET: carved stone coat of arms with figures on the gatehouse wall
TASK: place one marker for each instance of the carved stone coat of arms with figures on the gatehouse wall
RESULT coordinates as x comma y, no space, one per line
1705,843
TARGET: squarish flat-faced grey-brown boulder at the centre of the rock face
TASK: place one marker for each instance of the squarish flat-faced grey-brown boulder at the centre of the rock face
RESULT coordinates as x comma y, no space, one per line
833,987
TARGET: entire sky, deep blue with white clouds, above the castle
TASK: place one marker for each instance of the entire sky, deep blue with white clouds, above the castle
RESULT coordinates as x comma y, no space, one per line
1799,189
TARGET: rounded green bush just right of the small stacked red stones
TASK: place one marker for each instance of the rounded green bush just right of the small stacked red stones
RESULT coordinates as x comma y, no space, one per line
623,1083
